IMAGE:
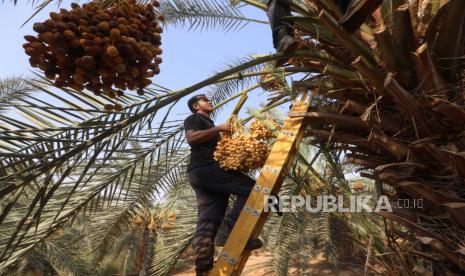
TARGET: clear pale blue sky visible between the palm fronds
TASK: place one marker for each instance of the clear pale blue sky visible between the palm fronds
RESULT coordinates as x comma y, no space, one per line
188,56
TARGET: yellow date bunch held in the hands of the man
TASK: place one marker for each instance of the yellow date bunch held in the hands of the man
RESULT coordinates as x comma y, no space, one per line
243,151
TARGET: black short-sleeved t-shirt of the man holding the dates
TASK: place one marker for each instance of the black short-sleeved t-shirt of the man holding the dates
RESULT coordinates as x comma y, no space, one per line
201,154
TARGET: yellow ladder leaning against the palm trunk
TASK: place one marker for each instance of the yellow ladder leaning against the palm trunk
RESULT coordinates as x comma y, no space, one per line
233,257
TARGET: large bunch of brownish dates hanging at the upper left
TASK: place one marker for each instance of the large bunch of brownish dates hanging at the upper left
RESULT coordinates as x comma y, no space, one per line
103,50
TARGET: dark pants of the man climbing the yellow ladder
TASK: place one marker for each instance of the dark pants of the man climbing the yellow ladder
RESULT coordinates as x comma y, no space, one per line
212,186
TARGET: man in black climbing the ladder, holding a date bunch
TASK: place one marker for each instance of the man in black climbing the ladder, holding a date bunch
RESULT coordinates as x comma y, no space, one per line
212,185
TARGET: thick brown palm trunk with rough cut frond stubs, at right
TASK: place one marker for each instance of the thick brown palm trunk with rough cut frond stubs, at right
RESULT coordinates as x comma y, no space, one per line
405,120
